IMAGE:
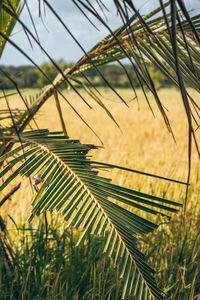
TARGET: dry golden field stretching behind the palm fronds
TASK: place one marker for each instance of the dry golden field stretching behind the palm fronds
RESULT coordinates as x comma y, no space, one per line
143,143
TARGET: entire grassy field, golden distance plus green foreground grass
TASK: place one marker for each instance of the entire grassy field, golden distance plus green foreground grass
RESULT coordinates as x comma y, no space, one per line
143,143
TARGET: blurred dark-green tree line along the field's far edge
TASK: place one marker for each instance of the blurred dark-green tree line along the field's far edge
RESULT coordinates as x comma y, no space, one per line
30,77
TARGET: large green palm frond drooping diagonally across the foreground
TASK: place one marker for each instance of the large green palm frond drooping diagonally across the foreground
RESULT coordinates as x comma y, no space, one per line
70,183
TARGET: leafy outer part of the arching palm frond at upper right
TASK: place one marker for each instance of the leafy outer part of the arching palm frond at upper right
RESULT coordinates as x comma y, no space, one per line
153,46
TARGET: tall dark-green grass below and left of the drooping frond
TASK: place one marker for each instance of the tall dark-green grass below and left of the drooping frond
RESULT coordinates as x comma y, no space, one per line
60,270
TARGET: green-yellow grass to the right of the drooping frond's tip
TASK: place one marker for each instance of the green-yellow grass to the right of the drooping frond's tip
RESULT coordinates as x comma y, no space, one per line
178,258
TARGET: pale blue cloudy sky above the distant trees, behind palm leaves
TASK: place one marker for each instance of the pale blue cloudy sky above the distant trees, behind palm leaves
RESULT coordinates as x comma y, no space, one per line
54,38
